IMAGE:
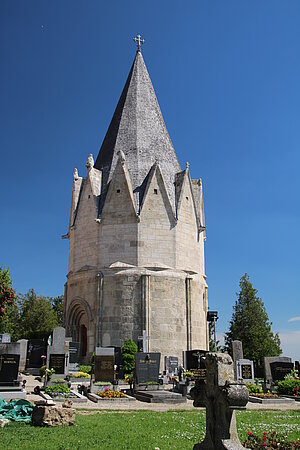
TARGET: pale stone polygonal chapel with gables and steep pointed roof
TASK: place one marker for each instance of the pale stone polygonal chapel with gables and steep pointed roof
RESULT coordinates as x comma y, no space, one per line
136,236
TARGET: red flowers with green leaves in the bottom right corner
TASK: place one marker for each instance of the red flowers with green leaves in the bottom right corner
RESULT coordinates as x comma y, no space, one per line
269,441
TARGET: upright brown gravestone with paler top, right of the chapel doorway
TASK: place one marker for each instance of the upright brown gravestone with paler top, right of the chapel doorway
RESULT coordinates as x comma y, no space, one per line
104,364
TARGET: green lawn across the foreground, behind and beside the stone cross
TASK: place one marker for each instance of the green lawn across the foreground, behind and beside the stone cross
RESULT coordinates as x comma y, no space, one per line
140,430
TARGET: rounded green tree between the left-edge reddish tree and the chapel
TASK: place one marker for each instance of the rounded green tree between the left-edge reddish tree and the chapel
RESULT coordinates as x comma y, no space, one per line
37,317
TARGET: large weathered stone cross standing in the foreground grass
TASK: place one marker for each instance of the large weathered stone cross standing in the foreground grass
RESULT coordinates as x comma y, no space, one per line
221,395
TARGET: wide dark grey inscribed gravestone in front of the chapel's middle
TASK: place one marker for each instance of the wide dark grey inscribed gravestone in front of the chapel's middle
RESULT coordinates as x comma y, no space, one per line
146,367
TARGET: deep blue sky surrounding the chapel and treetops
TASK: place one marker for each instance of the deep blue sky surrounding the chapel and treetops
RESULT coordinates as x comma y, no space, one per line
226,74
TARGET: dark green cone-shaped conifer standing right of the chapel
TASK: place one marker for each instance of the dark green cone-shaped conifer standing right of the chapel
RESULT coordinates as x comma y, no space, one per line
250,324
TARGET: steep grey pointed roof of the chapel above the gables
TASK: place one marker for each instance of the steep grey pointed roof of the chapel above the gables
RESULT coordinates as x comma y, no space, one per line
138,129
